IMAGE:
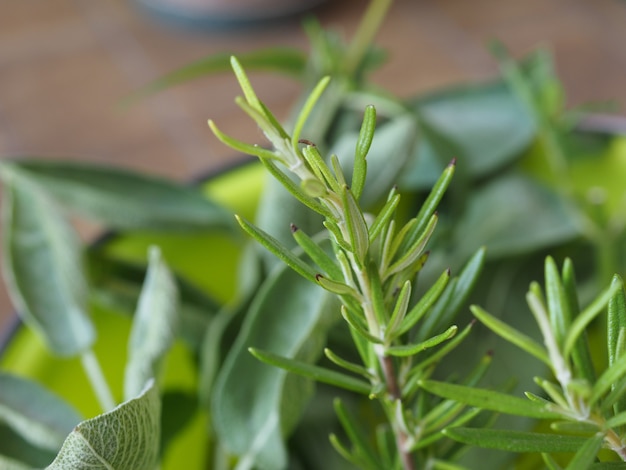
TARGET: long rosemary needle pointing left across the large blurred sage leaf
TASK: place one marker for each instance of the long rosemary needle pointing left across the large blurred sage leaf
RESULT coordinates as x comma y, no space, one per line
312,371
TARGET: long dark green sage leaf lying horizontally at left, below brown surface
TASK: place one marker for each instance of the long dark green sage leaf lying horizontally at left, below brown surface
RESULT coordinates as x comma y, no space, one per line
121,198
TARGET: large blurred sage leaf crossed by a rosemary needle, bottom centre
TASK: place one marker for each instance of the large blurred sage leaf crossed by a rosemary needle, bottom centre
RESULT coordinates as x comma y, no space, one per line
255,405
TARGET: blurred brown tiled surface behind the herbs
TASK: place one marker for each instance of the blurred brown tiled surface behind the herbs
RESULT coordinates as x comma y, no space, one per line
65,65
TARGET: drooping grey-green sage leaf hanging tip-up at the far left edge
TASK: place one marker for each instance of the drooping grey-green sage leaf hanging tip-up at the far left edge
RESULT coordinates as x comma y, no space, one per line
43,270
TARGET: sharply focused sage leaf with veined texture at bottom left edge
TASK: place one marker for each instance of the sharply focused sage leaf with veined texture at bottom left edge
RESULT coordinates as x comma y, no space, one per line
125,438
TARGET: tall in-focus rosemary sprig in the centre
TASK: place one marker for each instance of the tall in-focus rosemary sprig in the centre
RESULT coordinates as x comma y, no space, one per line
372,269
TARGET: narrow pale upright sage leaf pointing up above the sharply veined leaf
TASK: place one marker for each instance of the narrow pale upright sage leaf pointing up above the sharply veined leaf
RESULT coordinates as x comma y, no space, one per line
154,326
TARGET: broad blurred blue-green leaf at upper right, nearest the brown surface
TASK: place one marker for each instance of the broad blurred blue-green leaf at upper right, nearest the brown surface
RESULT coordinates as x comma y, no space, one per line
484,126
